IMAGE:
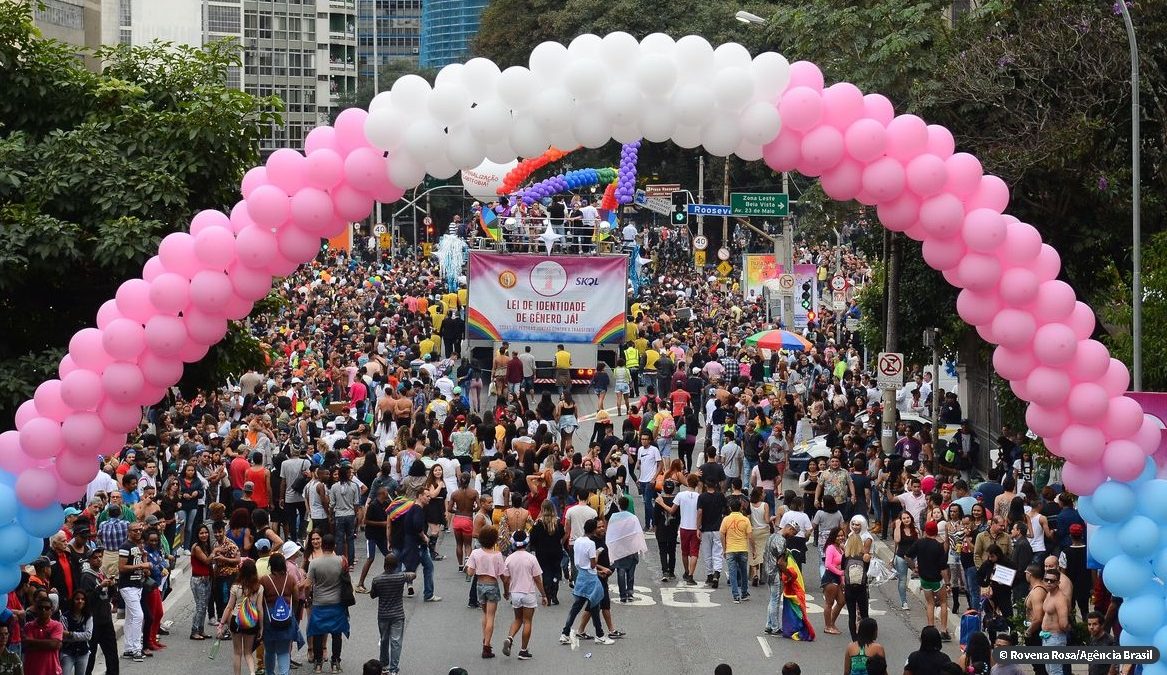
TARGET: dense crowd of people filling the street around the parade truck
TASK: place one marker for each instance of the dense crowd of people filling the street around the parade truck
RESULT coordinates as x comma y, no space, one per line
371,435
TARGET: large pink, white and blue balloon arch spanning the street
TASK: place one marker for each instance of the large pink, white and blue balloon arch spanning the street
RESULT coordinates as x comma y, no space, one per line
595,91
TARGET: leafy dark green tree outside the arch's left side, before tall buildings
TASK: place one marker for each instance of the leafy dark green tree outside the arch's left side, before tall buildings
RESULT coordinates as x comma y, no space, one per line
95,169
